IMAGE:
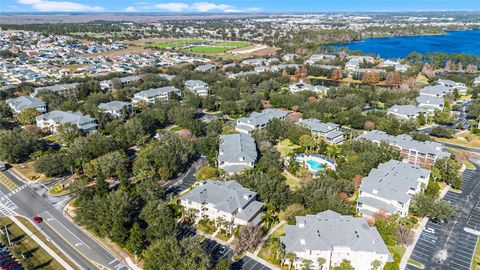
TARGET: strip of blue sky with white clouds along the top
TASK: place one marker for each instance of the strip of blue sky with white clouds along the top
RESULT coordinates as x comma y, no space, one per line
234,6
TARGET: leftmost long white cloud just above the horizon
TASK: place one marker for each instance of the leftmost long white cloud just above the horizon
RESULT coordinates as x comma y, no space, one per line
46,6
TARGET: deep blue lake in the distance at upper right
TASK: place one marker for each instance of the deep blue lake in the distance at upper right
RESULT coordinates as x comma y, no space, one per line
467,42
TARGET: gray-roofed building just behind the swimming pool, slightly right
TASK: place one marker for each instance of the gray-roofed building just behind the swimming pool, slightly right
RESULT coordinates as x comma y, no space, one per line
330,132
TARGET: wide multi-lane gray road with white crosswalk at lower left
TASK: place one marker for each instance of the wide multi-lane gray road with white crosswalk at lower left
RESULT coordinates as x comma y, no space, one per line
21,199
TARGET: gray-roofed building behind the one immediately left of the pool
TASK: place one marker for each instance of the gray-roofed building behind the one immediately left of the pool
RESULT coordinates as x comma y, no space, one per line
259,120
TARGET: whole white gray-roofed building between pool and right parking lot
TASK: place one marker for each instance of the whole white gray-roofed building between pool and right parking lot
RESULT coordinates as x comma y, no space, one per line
390,188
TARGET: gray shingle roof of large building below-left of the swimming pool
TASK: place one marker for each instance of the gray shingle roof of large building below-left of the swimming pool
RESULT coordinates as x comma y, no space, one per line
227,196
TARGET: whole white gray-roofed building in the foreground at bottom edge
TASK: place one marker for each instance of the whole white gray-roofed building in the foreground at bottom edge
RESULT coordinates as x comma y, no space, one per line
334,238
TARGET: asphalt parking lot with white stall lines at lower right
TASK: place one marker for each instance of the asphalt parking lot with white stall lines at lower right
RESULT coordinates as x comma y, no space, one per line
449,245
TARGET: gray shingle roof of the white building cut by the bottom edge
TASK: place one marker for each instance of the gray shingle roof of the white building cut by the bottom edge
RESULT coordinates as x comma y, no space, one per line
327,230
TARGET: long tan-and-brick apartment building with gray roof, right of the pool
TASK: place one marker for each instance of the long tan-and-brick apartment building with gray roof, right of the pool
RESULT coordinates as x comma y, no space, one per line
423,154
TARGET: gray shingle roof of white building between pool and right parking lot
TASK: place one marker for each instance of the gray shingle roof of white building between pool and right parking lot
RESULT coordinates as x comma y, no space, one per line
392,180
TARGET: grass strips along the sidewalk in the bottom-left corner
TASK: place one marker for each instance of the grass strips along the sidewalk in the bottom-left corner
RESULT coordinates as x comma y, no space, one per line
40,259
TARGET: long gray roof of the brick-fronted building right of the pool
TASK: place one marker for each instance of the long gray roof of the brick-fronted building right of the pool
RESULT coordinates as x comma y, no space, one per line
406,142
